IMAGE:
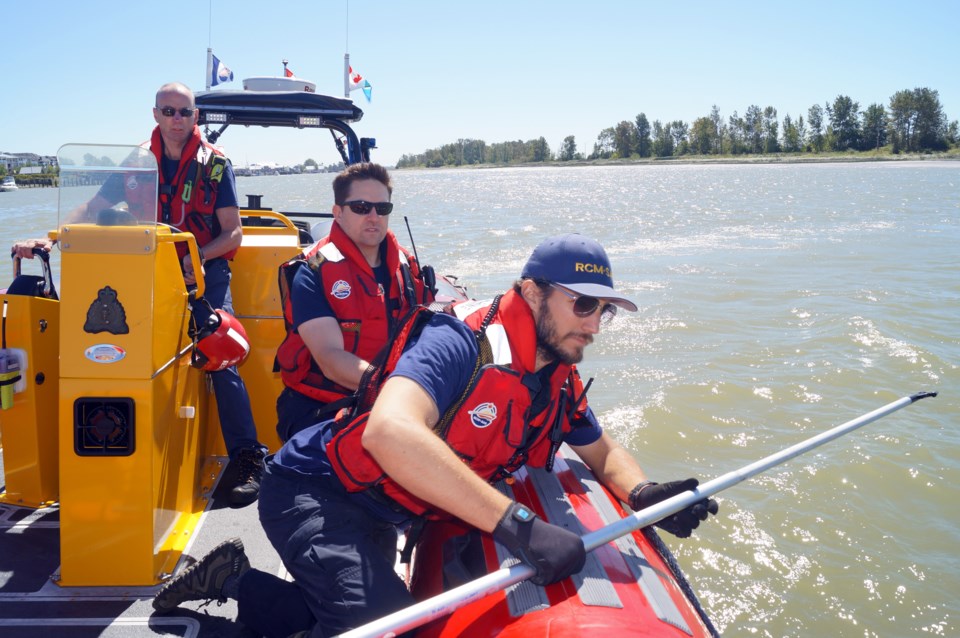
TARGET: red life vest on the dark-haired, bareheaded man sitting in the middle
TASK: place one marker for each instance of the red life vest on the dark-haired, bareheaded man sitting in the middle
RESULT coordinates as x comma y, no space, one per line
358,303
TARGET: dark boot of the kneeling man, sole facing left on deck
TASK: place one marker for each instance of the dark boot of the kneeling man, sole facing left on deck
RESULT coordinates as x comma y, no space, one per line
204,579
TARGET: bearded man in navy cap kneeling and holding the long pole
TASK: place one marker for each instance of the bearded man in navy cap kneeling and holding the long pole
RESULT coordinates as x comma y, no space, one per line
466,403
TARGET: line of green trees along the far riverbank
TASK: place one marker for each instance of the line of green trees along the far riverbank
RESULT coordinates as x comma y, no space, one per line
912,122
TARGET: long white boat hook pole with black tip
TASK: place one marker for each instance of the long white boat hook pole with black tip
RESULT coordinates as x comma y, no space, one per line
449,601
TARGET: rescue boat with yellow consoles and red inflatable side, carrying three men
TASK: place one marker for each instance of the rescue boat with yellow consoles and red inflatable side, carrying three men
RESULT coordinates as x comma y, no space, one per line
111,449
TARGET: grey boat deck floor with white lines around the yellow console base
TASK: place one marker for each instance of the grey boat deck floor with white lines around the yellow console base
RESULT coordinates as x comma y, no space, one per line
33,605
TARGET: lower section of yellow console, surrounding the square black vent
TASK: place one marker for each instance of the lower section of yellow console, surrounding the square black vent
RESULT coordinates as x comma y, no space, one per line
122,517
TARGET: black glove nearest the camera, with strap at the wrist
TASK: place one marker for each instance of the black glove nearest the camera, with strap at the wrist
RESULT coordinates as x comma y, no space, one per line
553,551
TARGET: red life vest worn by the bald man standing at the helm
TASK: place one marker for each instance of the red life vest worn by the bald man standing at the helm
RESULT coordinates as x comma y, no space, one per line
187,201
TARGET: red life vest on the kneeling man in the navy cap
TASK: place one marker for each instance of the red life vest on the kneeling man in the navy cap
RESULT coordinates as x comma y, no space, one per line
490,426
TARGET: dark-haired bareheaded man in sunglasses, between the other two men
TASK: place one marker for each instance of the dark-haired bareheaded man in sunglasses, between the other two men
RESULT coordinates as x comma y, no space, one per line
342,299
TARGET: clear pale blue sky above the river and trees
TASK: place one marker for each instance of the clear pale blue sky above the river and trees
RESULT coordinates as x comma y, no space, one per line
495,70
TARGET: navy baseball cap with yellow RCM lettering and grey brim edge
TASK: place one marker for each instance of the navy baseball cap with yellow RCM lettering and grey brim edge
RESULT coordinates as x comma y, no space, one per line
578,263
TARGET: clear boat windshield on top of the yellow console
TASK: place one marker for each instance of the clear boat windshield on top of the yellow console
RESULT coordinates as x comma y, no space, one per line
107,185
